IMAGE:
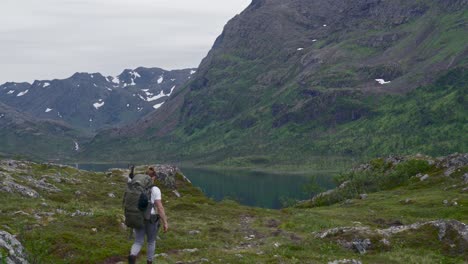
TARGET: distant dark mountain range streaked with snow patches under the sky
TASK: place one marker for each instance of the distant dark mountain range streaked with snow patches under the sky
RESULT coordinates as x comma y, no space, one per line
92,101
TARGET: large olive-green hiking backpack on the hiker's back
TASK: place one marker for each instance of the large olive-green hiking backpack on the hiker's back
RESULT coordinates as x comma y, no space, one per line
137,201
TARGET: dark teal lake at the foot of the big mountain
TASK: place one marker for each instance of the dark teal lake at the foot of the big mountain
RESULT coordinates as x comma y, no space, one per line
259,189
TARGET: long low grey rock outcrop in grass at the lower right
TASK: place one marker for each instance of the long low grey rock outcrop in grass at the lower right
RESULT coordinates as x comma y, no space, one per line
362,238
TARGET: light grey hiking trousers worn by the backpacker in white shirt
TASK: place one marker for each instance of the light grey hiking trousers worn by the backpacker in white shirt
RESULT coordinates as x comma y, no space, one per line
151,232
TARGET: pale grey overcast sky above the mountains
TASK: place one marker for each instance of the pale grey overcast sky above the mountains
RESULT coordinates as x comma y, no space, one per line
47,39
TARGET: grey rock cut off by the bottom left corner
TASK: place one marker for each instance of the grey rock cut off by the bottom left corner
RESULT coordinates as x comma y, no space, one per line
14,252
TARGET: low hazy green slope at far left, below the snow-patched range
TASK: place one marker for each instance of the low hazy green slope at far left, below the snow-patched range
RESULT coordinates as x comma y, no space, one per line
21,134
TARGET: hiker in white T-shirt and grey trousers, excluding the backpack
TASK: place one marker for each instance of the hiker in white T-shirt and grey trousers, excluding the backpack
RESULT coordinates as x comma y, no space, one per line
151,226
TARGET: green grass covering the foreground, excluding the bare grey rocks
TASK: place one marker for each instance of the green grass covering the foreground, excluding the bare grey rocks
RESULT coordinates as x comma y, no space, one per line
227,229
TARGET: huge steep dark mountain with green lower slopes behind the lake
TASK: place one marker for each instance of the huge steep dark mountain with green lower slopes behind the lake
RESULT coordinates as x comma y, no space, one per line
294,79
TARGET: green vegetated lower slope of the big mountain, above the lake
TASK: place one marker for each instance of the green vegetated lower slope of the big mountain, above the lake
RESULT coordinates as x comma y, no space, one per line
431,119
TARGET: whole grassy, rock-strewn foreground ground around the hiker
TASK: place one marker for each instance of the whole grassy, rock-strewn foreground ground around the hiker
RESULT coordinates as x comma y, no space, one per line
57,214
